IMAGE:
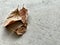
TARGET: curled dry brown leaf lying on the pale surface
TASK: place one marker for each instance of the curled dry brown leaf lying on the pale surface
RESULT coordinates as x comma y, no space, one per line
17,21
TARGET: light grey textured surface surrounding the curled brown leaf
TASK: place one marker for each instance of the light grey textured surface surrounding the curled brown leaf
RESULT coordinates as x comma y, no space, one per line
44,22
